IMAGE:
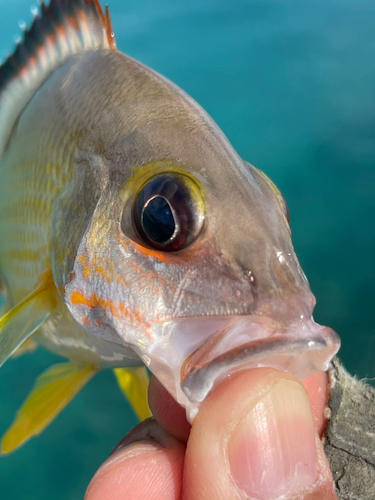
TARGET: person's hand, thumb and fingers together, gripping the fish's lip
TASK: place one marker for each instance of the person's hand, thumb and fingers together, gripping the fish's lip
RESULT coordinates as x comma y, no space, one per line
256,436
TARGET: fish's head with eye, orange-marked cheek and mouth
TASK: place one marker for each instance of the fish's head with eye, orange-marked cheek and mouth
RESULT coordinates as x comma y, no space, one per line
184,254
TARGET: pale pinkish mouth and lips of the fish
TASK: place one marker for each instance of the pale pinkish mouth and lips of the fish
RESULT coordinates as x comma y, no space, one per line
192,355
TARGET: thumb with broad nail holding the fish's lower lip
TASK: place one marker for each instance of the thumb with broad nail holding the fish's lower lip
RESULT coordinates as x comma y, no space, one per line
254,437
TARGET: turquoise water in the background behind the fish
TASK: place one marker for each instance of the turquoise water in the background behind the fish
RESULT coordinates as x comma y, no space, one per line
292,84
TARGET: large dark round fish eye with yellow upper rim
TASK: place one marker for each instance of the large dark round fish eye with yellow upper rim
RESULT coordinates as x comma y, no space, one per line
168,212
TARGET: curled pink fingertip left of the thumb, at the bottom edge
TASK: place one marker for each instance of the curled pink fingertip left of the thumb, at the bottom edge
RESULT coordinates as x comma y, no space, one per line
147,464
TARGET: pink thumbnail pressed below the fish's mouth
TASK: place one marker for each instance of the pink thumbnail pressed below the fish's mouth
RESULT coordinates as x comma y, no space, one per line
272,452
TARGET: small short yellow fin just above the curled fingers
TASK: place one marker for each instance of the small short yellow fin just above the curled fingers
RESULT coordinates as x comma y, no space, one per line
134,384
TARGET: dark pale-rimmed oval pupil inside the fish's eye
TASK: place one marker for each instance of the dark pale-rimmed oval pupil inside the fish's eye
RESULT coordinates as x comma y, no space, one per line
157,220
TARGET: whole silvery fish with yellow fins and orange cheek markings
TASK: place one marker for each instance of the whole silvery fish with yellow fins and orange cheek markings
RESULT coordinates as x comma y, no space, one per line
132,235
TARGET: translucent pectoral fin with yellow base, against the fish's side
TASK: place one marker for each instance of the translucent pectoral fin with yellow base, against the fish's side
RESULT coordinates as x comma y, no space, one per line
22,321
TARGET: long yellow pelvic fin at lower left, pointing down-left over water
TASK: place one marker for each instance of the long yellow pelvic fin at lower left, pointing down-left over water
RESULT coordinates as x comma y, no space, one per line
53,390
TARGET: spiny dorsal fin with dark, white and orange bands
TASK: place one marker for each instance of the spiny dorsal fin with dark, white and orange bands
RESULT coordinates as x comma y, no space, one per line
63,28
